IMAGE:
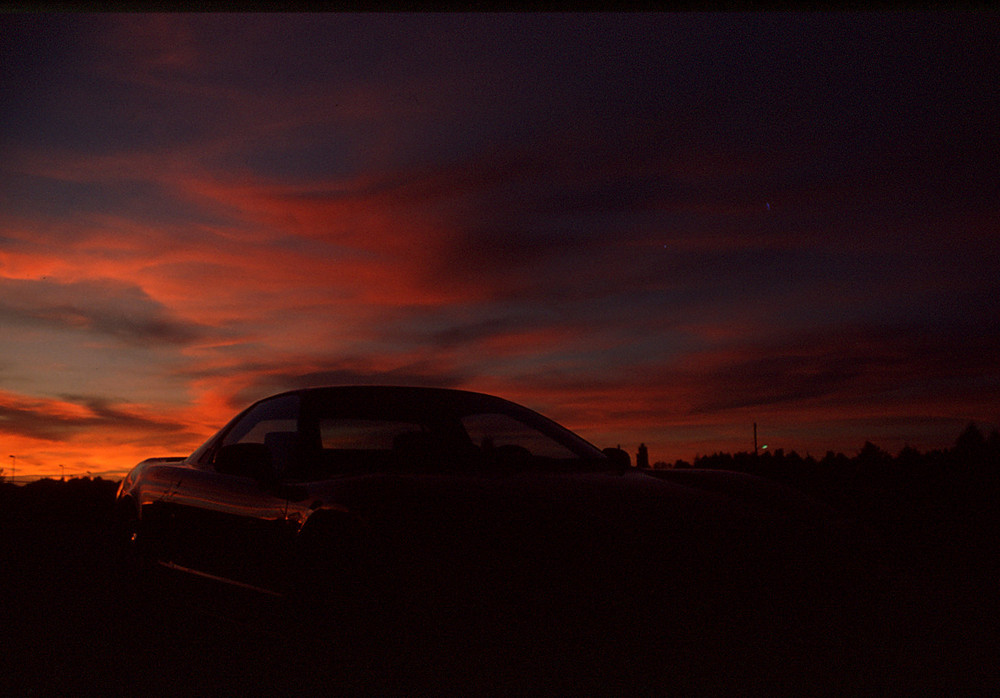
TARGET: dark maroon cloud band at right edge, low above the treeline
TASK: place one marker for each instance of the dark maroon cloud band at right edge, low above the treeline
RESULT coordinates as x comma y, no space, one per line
895,367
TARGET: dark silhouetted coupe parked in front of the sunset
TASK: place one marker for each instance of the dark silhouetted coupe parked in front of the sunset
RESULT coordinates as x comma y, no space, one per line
470,509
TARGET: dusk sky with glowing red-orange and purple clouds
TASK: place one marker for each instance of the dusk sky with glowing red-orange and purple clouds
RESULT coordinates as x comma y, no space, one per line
654,229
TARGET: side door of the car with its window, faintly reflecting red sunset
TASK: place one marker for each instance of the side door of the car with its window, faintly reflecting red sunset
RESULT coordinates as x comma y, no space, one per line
232,522
